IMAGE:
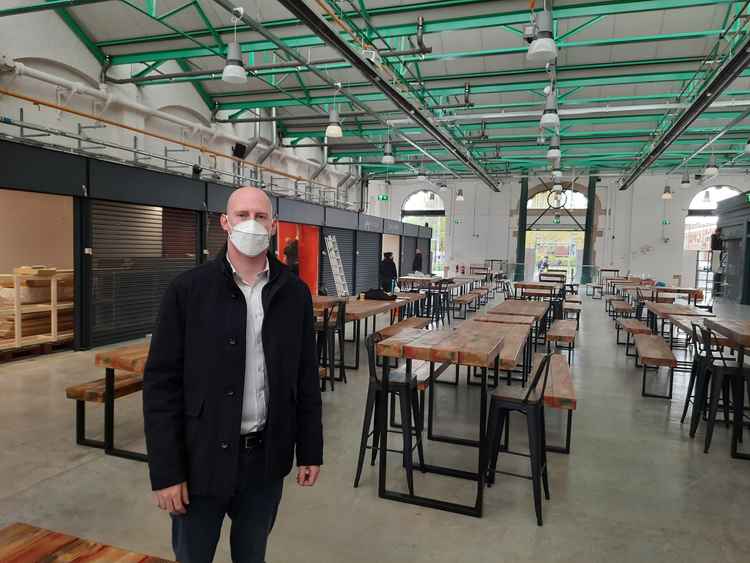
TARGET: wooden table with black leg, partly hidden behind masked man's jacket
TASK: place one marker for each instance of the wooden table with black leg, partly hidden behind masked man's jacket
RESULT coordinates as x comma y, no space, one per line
130,359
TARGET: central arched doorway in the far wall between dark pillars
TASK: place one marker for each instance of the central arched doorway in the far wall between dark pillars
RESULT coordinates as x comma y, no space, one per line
555,231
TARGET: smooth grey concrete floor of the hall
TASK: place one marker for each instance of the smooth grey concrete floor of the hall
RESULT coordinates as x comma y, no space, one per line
635,487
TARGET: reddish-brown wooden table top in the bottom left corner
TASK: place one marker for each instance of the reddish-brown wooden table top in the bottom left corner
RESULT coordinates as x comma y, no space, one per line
22,542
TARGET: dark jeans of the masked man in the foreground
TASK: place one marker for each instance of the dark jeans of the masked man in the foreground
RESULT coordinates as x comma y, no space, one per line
252,510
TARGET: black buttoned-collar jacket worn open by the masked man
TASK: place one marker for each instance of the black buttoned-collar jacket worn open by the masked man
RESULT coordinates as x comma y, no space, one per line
195,373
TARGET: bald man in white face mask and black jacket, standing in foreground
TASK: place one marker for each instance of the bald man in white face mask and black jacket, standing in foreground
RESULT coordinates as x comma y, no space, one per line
230,388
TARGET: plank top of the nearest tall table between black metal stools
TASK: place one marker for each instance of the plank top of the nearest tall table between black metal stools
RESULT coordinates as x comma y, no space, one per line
470,344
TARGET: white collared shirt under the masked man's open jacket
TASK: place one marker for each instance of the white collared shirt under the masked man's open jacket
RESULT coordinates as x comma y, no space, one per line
254,398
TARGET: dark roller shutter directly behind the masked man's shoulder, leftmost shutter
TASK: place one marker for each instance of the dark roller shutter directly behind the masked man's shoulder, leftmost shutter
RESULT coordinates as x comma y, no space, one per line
137,251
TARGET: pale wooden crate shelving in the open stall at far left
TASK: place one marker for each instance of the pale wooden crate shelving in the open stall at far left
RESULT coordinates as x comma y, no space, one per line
36,307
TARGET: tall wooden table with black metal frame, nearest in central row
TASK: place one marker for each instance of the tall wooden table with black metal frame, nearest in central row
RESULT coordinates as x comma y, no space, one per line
471,344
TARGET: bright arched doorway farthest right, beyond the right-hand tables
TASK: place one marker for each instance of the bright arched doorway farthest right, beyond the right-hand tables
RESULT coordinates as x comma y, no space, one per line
700,224
